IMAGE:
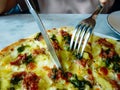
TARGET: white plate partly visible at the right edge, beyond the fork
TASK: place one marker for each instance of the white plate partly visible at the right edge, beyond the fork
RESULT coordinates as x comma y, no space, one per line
114,21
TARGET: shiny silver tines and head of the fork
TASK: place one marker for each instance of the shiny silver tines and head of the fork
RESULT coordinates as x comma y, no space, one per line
80,37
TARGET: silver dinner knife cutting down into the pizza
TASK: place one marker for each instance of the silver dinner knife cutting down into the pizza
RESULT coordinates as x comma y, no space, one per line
44,33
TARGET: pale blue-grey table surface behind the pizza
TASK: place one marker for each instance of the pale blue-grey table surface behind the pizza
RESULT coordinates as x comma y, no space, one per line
15,27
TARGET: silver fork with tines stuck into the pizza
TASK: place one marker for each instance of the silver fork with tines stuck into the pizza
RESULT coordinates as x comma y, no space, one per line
83,31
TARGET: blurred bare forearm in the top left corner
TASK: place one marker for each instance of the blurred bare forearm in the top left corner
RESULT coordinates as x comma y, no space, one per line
6,5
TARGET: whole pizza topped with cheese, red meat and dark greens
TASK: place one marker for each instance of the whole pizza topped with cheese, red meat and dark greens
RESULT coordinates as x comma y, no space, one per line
27,64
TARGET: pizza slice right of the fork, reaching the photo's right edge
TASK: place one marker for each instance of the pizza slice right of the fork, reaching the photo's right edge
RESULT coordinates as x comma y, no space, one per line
106,66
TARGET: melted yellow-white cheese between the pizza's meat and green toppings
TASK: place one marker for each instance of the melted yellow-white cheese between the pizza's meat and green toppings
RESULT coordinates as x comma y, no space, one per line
67,59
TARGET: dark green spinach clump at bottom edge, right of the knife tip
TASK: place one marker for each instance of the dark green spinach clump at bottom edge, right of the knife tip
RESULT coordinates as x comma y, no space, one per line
80,84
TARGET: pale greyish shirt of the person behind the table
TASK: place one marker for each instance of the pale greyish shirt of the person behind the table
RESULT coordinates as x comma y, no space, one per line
70,6
